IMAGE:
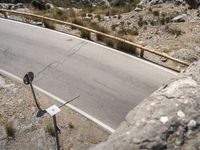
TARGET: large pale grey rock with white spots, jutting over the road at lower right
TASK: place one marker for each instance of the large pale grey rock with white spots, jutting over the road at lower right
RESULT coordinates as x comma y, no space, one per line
168,119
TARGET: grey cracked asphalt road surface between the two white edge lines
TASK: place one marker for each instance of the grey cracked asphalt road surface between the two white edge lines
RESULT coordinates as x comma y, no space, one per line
110,83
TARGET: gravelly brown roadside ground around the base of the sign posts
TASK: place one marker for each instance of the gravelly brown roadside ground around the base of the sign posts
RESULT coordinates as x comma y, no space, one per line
21,129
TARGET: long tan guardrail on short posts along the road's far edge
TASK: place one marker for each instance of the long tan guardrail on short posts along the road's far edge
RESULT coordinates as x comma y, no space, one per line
143,49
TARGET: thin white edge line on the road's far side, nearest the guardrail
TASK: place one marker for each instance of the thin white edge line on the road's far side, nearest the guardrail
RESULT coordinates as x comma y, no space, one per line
114,50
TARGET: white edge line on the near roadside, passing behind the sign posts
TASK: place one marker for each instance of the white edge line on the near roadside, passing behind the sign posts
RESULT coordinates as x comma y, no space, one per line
98,122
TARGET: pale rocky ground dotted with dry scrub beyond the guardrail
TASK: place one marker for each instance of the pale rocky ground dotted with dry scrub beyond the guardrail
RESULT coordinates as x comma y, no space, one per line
167,28
